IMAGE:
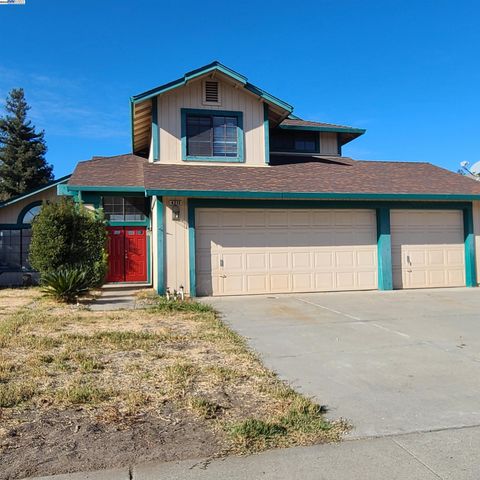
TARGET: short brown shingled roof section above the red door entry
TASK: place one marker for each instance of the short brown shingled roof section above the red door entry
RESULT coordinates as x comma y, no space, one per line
120,170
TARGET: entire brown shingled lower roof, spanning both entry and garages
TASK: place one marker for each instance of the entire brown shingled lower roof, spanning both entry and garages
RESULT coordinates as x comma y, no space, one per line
322,175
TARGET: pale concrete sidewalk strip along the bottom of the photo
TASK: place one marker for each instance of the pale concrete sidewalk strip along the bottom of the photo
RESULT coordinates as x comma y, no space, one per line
446,455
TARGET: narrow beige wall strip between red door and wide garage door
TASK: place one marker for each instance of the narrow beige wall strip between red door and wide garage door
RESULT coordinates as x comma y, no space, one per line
176,246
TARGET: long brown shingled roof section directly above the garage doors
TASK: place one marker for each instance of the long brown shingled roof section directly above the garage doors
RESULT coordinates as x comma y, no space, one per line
315,175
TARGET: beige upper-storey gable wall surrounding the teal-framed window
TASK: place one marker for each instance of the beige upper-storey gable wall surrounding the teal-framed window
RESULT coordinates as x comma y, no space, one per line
190,96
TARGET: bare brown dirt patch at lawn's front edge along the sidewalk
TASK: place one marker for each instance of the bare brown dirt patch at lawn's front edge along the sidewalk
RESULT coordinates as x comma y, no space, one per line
73,440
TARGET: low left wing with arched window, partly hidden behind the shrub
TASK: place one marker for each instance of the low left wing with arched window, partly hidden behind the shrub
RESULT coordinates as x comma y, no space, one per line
16,216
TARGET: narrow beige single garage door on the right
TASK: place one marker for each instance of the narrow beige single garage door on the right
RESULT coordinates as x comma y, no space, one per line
427,248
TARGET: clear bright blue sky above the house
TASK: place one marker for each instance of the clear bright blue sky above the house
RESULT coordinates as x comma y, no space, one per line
407,71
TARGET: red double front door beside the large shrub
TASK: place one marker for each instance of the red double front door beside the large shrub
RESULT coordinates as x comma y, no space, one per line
127,254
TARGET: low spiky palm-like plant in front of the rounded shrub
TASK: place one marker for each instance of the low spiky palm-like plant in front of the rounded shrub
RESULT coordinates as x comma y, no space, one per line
65,284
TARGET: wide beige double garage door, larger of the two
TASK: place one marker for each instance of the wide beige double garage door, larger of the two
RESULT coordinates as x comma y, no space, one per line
280,251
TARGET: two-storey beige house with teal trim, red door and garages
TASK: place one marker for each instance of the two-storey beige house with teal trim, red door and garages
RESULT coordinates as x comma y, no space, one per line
227,192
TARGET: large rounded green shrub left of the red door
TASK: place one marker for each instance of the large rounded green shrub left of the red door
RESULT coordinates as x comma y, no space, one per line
66,235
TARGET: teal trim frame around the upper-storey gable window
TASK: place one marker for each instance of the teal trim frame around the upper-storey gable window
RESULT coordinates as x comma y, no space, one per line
240,137
